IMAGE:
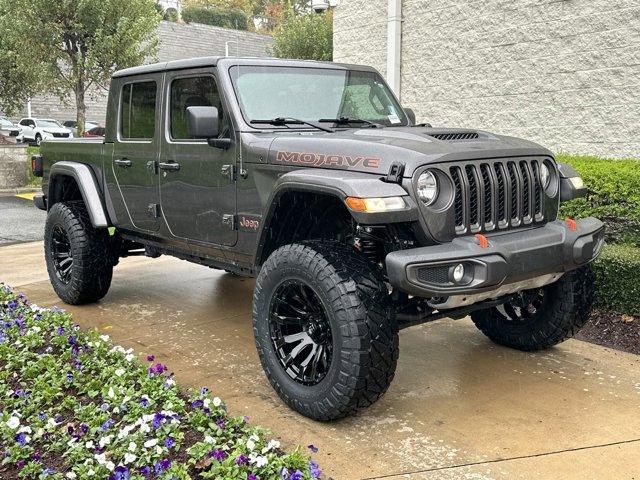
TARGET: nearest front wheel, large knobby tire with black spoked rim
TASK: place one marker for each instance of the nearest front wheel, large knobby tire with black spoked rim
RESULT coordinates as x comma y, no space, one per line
322,328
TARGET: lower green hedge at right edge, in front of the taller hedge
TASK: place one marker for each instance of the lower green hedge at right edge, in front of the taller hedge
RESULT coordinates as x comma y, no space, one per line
618,279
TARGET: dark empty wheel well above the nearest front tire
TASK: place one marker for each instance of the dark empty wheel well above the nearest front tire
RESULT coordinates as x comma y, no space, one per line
298,216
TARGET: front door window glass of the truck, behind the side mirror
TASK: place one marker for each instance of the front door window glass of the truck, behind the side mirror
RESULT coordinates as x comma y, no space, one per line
192,92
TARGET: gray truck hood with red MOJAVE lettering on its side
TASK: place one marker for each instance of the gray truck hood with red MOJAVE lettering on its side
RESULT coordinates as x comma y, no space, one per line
374,150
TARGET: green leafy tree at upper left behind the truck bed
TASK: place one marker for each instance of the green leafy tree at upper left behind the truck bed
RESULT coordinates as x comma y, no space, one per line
67,46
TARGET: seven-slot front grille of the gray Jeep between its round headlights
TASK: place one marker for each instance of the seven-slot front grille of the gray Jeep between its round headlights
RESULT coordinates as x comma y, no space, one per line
496,195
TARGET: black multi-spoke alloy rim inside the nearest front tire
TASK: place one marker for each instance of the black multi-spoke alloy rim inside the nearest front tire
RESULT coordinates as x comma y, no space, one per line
300,332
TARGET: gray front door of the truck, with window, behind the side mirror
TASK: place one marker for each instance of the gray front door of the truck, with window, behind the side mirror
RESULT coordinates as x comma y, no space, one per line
198,199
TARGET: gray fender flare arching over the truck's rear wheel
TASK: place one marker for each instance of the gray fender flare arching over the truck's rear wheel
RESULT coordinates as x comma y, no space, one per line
88,186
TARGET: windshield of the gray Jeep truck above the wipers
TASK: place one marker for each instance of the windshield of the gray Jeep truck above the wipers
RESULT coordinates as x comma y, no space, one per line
311,94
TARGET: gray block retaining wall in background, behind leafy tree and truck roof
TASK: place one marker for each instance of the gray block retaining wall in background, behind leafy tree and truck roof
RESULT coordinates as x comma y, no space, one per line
177,41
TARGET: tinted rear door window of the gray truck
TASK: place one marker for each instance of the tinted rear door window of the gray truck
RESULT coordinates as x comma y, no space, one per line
138,110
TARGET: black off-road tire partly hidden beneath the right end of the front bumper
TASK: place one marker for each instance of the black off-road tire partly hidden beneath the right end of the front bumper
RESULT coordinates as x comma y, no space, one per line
564,311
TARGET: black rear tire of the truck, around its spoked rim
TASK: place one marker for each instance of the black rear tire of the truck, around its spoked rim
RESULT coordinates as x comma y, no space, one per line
92,267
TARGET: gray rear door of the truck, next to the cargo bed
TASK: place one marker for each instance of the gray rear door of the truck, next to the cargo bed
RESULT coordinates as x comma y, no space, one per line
135,152
